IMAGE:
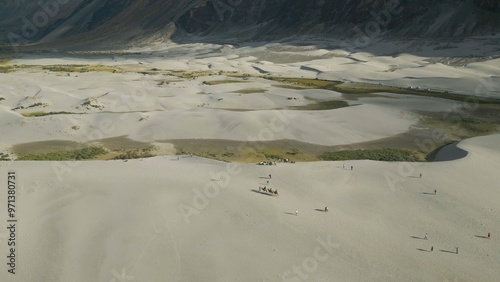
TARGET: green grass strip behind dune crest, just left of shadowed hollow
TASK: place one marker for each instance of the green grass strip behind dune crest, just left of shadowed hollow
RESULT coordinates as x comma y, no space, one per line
386,154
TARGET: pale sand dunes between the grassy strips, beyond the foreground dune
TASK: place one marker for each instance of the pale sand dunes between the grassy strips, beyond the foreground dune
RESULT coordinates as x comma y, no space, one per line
134,105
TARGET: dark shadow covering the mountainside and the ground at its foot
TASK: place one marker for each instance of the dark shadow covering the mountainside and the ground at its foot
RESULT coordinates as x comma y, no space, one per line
98,25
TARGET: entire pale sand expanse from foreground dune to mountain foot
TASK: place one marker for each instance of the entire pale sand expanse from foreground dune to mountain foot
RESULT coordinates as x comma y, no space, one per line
186,218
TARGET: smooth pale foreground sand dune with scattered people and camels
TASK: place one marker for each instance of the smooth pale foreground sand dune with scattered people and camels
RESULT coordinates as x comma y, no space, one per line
195,219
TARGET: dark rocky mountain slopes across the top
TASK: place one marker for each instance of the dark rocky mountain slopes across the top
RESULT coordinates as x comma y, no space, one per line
91,23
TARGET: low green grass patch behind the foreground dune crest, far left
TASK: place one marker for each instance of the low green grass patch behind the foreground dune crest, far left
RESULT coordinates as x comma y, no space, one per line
79,154
